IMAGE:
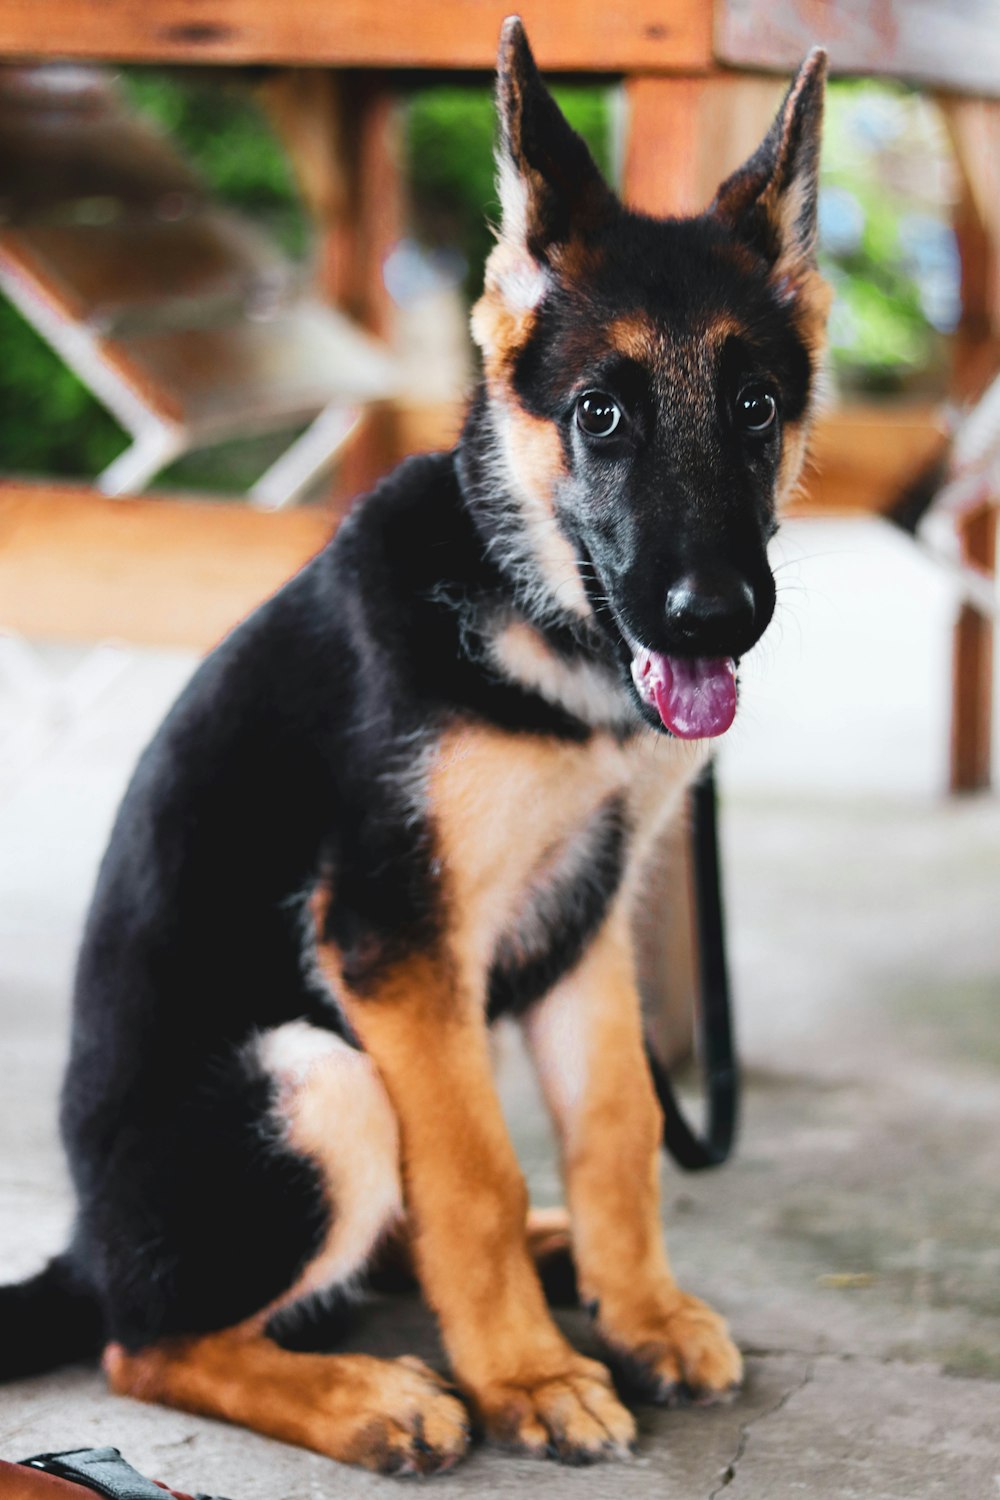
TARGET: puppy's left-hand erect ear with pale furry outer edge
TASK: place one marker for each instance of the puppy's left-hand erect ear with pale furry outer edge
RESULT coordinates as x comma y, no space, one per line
548,181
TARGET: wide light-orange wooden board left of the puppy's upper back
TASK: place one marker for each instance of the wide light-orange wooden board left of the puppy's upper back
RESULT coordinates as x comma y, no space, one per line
77,566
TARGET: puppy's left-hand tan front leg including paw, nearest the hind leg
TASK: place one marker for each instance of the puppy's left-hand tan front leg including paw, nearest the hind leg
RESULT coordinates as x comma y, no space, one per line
467,1204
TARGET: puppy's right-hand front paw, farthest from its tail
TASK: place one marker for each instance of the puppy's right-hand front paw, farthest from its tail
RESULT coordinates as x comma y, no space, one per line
684,1352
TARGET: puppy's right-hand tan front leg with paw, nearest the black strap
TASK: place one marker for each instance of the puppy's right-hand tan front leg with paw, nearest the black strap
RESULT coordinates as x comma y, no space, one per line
587,1042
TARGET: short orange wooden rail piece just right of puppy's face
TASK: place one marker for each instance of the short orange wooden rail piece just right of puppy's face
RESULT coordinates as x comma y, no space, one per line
863,457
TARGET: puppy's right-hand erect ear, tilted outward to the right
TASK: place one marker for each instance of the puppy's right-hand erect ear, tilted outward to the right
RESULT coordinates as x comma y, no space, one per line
771,200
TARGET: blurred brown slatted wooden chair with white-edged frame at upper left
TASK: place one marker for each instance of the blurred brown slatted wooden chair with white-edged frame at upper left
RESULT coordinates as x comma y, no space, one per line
181,317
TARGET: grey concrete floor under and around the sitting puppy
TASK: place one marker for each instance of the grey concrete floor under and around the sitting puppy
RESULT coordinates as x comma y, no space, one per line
855,1241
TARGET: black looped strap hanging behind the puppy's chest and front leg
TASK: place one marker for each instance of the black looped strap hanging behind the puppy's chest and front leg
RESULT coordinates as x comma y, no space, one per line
716,1046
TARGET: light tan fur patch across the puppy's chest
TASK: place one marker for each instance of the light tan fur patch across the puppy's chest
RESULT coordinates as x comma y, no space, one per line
504,806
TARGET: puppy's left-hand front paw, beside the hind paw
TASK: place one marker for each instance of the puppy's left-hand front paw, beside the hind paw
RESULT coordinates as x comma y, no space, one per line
570,1414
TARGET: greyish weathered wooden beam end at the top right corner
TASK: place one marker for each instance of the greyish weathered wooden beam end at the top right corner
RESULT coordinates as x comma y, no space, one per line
947,46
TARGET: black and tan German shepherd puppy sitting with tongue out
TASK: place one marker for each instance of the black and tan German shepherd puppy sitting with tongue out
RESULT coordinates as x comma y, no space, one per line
415,793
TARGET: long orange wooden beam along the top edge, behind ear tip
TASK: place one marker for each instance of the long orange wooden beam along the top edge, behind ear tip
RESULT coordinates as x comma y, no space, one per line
585,35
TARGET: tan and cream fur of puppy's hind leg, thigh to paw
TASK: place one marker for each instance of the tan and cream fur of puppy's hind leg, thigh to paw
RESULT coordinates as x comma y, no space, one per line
395,1417
